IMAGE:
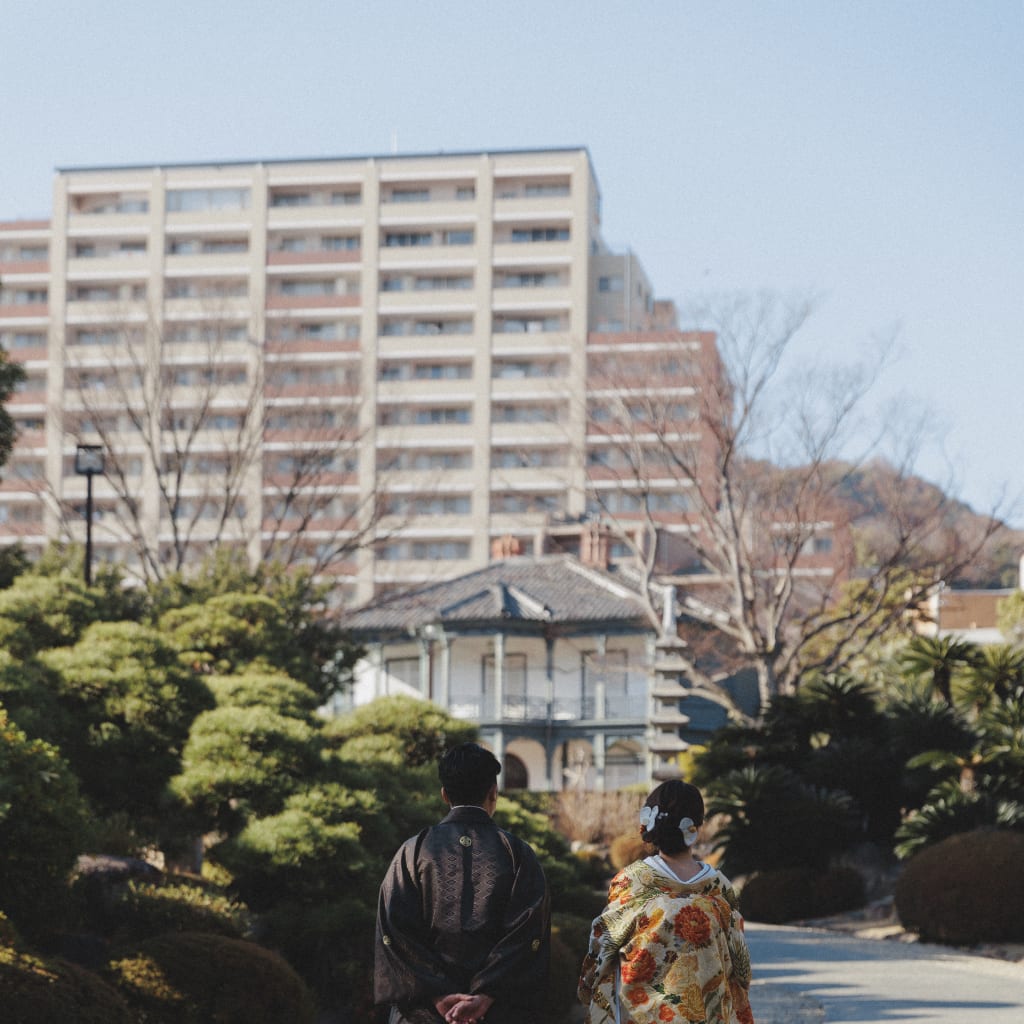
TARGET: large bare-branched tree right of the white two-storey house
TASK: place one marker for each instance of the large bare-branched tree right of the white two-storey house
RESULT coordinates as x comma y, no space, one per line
736,482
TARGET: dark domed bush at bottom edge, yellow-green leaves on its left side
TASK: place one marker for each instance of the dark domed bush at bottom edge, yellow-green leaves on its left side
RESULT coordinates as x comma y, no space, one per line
196,978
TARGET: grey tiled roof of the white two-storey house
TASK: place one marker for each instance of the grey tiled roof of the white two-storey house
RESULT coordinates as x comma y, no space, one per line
556,590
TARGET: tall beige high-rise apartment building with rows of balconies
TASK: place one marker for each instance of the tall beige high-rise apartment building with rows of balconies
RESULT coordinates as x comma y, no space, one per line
298,357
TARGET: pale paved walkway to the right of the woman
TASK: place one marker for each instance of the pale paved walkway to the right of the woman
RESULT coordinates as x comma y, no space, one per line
805,976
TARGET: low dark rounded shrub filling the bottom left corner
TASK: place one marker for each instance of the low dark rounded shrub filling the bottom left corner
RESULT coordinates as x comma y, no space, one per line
53,992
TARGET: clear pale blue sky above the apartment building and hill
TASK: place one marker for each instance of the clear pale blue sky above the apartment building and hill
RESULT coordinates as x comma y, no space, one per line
868,154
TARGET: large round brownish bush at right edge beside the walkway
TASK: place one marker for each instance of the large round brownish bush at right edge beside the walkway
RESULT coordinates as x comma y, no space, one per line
965,890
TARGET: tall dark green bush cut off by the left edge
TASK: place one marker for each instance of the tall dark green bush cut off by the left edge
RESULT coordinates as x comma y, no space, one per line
42,828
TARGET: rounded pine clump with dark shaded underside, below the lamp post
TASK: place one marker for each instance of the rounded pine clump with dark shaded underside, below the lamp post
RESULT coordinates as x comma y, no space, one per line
131,705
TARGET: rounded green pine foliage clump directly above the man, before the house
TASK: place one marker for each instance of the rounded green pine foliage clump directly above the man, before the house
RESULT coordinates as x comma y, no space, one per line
424,732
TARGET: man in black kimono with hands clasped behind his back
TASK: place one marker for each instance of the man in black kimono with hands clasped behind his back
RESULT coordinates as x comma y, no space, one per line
463,922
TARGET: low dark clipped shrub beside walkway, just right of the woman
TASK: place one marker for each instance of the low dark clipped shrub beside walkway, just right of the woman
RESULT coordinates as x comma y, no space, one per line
795,894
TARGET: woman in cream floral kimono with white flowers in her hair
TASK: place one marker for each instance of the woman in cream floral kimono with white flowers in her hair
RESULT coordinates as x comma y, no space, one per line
669,948
